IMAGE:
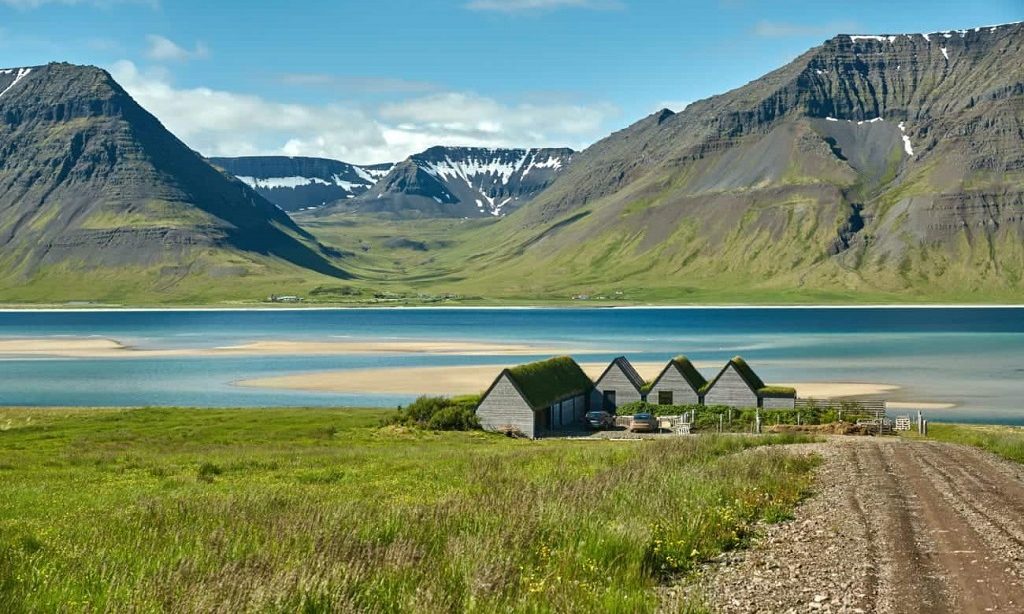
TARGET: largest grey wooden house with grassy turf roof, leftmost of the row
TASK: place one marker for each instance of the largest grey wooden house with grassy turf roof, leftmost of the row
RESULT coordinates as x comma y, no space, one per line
537,399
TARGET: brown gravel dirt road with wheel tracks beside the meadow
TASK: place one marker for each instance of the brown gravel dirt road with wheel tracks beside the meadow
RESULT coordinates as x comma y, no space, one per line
895,527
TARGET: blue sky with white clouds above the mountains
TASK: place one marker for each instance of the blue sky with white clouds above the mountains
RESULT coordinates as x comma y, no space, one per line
376,81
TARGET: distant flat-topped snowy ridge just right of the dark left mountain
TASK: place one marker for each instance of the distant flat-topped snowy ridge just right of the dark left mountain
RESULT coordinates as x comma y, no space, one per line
302,184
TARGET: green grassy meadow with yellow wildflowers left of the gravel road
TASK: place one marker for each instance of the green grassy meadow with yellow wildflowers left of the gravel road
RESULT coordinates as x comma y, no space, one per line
319,510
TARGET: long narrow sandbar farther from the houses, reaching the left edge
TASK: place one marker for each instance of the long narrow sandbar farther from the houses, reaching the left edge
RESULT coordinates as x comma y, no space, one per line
111,348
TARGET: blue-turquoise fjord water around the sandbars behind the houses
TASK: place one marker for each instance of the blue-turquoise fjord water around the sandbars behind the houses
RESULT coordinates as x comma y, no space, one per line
973,358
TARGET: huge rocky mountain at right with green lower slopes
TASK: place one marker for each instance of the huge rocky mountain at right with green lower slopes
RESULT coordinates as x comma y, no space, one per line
887,166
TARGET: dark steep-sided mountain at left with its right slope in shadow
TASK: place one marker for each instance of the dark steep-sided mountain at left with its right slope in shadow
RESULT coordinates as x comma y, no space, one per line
97,194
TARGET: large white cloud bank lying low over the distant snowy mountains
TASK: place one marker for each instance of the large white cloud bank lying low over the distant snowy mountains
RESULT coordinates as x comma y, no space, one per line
222,123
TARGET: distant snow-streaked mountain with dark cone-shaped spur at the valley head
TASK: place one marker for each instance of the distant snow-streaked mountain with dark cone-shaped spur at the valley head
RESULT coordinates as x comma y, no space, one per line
461,183
